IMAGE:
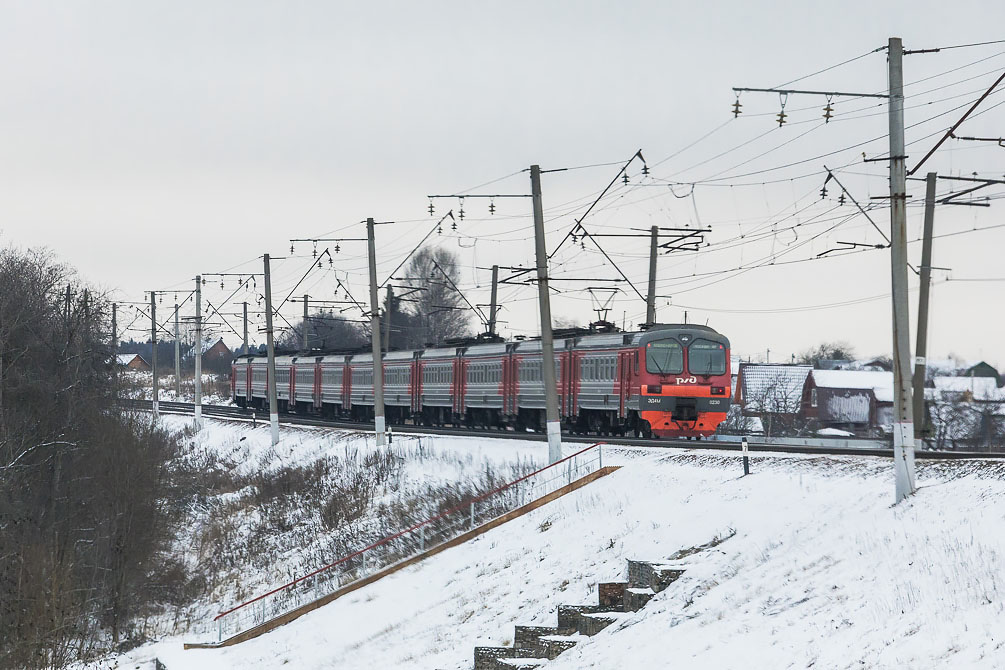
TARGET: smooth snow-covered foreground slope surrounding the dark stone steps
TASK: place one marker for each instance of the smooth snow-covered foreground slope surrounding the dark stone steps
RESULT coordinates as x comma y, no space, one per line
823,572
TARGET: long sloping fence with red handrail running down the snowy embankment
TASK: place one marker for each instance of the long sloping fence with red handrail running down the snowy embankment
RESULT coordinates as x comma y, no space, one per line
409,543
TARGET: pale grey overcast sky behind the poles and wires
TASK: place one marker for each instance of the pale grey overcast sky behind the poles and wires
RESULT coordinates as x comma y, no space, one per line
147,143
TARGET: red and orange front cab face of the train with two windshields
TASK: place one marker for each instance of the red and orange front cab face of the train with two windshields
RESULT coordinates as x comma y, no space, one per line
685,381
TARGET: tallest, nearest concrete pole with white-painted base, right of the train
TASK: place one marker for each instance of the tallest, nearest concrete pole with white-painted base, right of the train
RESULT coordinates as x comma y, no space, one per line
904,423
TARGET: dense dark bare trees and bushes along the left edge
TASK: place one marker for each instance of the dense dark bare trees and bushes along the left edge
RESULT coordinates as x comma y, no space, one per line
86,491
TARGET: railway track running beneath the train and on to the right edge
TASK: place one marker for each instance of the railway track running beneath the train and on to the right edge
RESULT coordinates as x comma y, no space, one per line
238,413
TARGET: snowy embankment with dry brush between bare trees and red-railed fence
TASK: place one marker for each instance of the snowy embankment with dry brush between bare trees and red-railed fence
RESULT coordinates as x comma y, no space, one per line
246,543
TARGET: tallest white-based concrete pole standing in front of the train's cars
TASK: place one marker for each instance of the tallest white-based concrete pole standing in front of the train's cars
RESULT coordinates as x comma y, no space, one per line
553,421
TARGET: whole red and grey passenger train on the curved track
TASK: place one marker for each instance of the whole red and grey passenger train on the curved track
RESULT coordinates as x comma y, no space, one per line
669,381
